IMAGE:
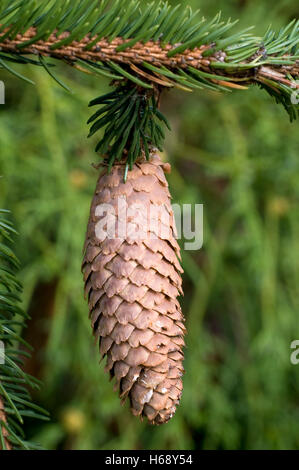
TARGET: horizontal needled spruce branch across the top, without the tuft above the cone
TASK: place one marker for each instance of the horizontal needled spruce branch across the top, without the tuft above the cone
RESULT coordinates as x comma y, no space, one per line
173,40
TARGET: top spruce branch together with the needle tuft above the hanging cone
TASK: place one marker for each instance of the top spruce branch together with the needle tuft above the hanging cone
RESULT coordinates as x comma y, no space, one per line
150,47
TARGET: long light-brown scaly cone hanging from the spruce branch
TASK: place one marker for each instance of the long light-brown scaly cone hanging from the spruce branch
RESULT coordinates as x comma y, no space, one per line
132,284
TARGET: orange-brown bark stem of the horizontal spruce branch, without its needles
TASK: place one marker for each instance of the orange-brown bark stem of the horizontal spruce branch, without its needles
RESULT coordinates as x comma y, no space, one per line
151,52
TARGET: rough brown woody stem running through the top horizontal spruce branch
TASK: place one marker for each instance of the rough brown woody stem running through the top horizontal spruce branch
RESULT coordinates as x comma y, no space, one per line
105,51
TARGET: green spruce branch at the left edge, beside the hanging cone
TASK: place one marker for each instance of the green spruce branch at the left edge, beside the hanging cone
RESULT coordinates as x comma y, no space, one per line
15,399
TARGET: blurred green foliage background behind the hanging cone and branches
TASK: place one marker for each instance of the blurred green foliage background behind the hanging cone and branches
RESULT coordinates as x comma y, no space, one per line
237,154
